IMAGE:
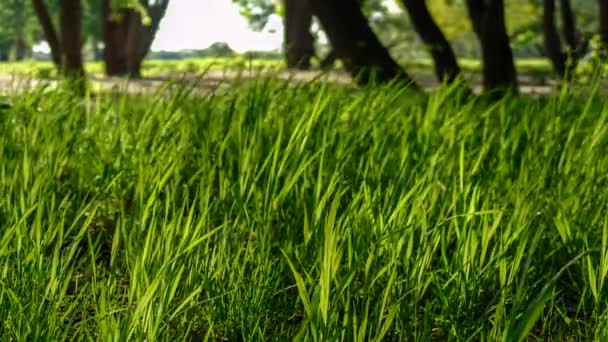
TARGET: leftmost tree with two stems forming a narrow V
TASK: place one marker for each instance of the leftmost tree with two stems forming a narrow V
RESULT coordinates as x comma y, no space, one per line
66,47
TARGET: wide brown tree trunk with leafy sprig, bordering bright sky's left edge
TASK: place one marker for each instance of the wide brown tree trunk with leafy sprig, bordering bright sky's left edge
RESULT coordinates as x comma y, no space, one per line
128,33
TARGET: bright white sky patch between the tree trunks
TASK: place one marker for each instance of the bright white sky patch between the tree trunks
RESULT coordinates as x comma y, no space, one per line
196,24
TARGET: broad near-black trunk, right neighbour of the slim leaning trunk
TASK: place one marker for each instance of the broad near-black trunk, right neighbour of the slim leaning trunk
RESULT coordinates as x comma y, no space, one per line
488,19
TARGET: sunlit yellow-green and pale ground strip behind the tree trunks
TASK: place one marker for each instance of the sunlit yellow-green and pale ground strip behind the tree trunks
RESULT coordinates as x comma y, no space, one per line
535,74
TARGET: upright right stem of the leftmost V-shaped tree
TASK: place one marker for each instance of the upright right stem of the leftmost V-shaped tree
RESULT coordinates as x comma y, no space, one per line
71,41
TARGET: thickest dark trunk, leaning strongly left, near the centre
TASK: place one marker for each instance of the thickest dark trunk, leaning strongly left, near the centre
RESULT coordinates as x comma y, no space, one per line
355,43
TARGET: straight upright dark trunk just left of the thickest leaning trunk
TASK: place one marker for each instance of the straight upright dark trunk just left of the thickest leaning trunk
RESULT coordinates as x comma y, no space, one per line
299,41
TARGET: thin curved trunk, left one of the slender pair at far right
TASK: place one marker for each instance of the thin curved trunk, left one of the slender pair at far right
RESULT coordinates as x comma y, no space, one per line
553,46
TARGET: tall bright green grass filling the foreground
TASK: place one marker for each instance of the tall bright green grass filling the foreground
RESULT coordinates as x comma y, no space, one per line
309,212
